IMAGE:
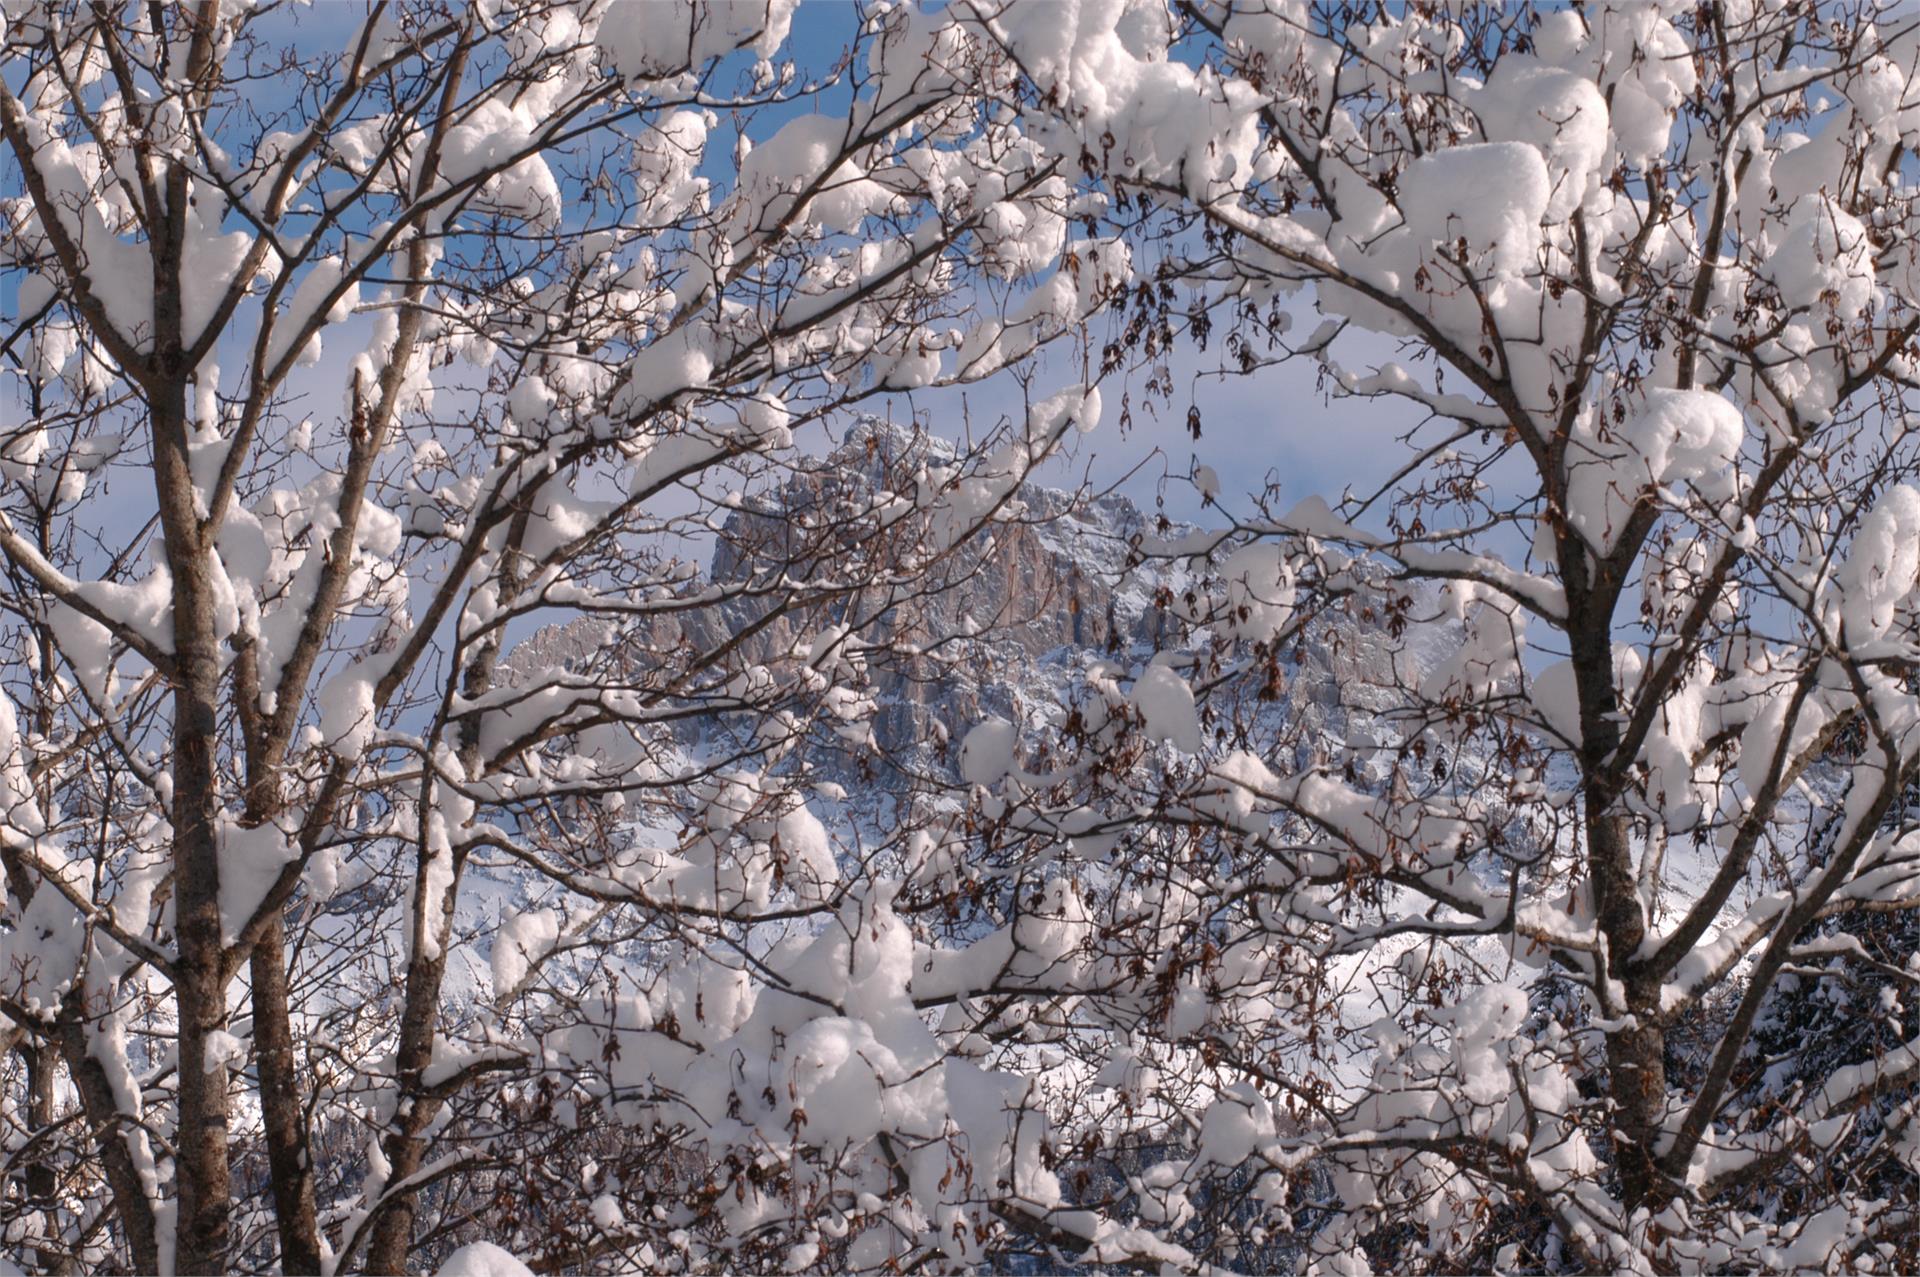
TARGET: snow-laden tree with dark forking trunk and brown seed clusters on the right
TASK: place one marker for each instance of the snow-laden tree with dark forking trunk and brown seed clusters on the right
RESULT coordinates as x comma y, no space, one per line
1493,969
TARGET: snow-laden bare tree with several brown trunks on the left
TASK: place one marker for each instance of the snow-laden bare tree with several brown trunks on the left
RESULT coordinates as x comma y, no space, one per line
345,354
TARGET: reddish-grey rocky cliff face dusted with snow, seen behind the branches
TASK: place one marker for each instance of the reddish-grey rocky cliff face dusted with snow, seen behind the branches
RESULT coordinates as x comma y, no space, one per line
1003,625
